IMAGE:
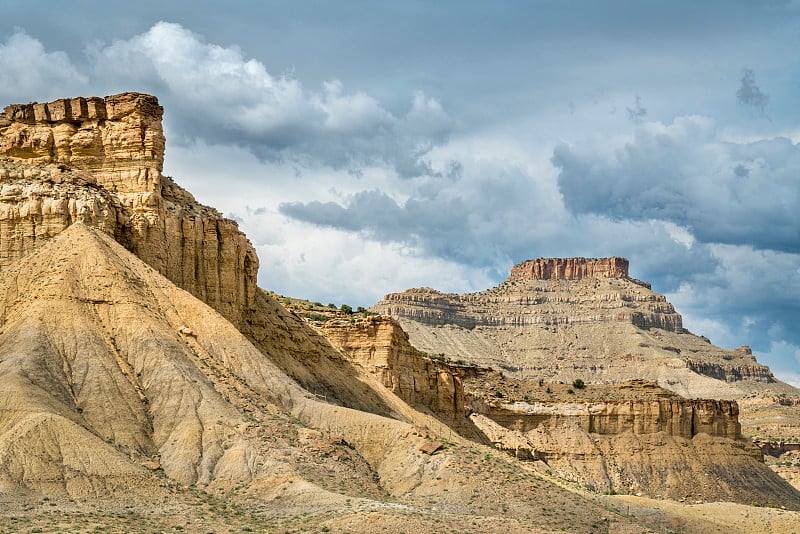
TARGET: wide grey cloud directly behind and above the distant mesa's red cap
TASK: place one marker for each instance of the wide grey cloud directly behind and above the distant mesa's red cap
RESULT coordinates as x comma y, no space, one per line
496,215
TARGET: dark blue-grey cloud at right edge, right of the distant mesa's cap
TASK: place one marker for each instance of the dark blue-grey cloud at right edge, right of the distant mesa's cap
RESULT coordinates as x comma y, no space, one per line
721,191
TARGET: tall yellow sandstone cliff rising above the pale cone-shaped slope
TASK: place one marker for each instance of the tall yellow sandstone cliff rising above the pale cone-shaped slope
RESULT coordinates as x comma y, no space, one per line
99,160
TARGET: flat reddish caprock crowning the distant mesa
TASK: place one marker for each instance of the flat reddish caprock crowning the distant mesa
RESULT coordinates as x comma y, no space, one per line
570,269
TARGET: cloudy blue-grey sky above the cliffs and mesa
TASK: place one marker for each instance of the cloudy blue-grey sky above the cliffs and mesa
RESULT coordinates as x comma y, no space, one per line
369,147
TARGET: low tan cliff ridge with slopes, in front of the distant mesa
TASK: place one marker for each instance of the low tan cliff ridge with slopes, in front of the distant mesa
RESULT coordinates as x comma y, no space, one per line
654,442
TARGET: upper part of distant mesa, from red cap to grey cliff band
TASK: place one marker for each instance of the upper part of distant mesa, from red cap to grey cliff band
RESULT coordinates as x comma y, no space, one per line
541,292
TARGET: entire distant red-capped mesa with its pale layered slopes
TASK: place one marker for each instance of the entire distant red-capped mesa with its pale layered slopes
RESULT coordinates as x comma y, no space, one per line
577,318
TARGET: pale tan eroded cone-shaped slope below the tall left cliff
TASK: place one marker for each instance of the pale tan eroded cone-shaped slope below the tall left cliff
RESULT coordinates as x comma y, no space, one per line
119,385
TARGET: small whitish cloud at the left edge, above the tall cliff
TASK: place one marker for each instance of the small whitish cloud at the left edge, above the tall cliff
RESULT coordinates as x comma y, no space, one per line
30,72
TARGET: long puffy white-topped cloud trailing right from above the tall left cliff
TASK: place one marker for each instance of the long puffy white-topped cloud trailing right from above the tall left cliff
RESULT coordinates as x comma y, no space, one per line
217,94
